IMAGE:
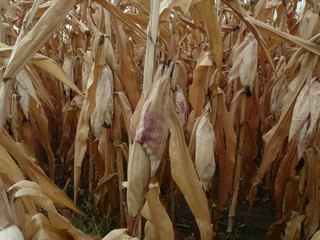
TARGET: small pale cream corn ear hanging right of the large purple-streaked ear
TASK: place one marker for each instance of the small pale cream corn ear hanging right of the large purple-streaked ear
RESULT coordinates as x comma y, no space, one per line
205,144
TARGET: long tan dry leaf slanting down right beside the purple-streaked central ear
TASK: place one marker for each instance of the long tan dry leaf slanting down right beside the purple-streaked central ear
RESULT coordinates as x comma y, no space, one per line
184,175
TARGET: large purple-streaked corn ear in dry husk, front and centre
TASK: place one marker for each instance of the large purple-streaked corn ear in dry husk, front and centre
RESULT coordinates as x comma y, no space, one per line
149,143
